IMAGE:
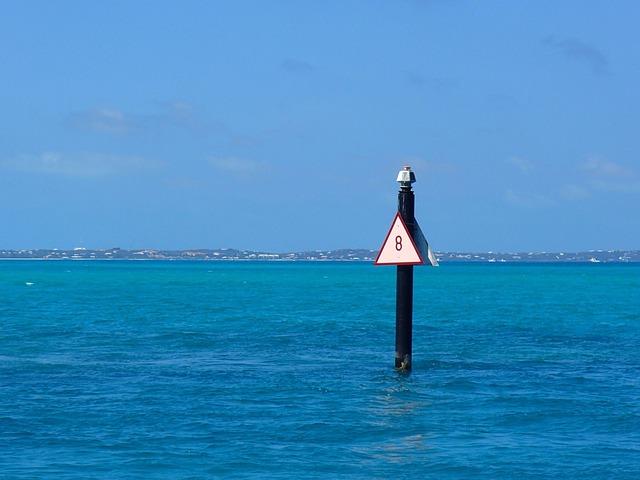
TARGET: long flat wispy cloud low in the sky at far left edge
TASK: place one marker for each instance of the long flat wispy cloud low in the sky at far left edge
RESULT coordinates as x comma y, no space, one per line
77,165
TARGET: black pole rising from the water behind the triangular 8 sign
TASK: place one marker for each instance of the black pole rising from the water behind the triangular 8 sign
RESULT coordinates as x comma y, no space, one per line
404,286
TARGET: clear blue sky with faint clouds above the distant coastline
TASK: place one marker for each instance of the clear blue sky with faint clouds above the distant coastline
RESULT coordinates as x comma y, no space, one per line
281,125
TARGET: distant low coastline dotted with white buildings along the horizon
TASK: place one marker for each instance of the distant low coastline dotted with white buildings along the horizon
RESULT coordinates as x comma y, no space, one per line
353,255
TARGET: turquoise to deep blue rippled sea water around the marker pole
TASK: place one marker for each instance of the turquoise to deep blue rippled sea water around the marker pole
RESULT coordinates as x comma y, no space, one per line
180,370
